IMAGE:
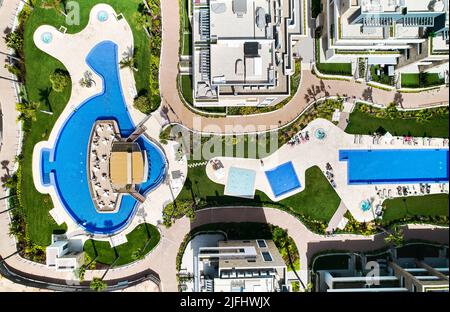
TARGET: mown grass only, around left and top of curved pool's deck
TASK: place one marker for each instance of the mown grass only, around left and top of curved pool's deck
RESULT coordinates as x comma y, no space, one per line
38,68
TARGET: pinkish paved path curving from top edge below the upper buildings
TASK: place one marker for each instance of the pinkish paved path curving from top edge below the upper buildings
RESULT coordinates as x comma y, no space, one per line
178,113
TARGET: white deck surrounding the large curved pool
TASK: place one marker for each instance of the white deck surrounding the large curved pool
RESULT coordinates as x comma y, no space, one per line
72,50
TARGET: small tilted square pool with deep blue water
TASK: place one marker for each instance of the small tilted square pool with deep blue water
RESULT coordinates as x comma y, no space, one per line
283,179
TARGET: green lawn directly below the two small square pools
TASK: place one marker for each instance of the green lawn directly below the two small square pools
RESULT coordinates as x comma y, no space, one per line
306,203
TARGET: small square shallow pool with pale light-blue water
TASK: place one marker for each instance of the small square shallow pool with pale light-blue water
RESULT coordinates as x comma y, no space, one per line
241,182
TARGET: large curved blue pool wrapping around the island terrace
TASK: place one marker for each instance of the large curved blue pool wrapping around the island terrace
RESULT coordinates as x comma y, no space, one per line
64,167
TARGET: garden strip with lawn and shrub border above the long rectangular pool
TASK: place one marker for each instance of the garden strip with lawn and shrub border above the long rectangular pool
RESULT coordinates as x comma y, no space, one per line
367,120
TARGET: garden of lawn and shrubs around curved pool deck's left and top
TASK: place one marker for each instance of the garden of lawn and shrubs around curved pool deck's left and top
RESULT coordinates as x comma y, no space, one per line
40,95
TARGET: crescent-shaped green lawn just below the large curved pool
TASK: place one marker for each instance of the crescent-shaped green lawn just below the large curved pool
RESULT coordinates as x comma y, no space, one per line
143,236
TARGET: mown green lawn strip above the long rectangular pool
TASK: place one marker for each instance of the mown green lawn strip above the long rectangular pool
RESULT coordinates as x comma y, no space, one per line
364,123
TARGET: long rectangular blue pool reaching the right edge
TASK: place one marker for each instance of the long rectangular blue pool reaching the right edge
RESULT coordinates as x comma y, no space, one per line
396,166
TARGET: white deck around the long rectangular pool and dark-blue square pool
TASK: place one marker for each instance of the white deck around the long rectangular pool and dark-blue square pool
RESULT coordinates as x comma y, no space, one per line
320,152
